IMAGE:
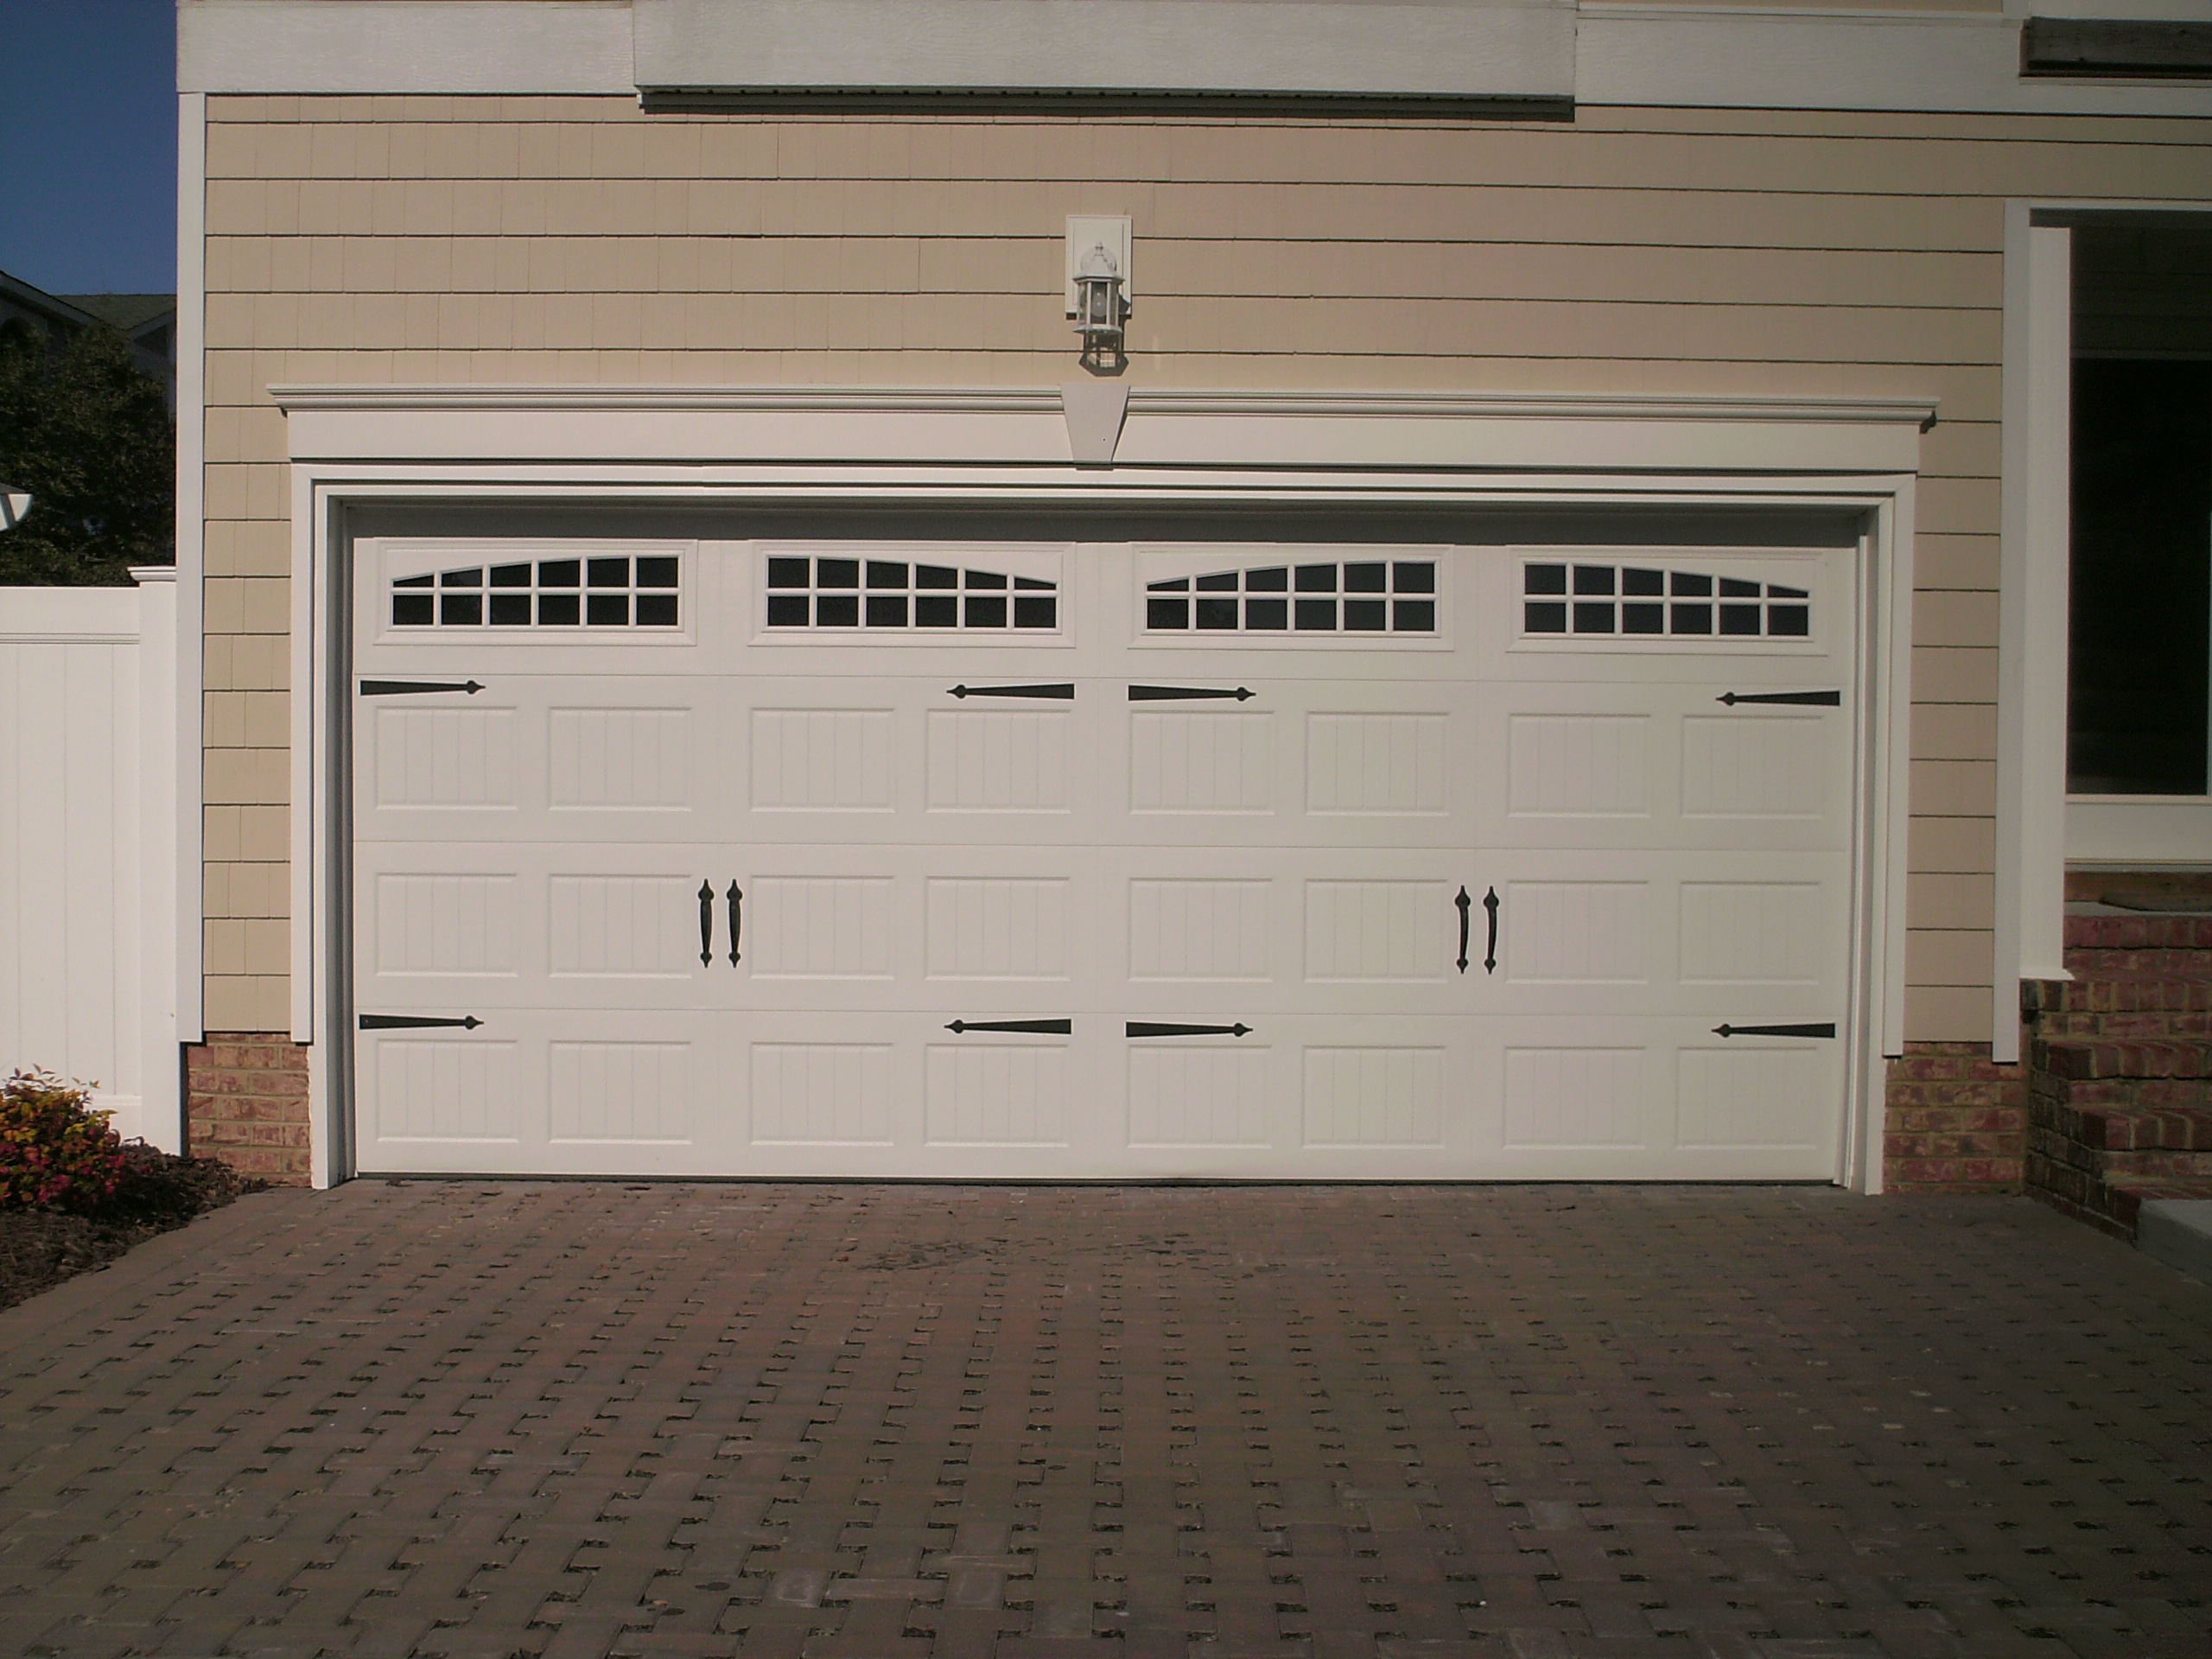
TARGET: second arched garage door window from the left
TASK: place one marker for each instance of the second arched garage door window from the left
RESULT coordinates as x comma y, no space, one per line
893,596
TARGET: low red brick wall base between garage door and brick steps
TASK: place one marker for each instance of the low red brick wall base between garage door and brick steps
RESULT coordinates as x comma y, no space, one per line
1954,1123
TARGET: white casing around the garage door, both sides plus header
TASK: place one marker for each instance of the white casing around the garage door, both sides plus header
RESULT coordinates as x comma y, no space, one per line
359,448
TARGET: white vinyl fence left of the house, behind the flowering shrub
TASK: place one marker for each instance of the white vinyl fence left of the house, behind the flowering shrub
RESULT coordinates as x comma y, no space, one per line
90,844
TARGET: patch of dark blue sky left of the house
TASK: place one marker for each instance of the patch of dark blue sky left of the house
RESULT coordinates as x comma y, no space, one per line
90,145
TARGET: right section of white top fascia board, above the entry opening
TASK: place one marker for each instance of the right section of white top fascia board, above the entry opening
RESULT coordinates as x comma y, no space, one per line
1875,61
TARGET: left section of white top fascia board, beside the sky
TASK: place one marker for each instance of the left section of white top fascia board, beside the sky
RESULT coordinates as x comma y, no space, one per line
404,48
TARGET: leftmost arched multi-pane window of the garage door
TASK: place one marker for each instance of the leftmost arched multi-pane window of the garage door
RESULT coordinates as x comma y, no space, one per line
543,594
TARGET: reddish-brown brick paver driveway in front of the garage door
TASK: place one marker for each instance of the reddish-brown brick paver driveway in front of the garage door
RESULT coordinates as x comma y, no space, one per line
1211,1423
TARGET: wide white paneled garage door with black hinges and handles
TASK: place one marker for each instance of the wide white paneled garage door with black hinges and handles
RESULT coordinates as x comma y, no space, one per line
983,859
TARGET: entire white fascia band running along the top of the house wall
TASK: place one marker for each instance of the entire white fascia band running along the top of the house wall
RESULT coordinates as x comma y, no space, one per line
1594,54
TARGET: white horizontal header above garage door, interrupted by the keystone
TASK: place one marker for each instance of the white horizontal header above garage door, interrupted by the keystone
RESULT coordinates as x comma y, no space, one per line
1025,428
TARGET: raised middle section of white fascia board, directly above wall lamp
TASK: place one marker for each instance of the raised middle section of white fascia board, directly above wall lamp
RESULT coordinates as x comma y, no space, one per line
1331,48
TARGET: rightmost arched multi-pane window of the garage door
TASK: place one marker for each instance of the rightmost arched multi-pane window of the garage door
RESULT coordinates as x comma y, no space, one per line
1611,601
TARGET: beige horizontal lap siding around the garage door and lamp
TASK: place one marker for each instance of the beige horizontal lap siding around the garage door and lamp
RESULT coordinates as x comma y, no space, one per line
492,240
